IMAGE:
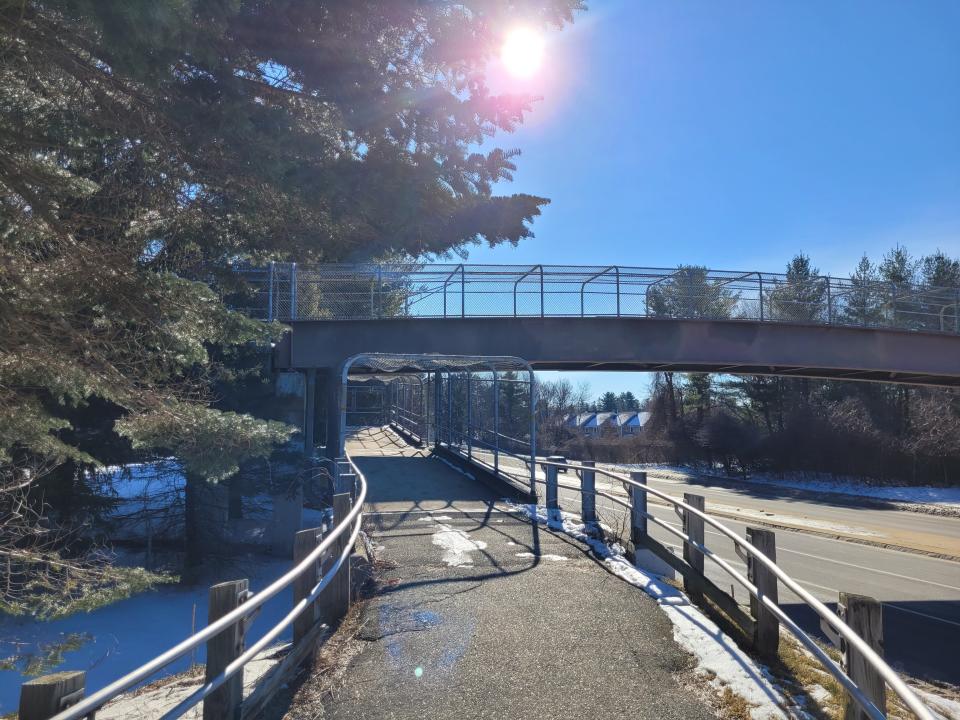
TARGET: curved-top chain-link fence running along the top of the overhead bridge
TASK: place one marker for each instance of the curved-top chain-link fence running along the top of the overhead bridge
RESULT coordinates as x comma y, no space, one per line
287,291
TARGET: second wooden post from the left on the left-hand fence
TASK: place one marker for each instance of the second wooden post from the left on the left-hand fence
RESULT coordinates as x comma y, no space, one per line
222,649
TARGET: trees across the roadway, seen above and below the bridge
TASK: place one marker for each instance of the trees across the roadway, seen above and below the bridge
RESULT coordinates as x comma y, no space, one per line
742,424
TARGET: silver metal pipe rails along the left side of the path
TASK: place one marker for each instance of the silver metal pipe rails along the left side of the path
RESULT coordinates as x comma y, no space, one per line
254,602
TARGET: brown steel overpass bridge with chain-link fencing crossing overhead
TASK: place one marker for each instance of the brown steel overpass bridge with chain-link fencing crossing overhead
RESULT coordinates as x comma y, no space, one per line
616,318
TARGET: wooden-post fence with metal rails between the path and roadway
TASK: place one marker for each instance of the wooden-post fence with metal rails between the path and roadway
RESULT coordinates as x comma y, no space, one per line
856,629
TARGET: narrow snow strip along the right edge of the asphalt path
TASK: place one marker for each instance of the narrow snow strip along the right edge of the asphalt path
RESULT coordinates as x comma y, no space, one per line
718,658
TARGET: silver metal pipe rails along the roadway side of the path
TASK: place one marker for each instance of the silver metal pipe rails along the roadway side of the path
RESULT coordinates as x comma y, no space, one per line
870,656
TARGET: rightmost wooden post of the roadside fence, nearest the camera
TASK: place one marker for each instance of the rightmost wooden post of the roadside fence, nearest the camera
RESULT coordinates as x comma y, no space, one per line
864,615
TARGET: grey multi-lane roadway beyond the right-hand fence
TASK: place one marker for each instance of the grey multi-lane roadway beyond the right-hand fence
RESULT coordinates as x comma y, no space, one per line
821,544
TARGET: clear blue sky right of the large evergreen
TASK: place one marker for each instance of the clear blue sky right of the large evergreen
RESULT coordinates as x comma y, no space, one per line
736,133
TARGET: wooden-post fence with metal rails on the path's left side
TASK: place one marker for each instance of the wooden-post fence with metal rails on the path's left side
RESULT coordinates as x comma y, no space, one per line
320,579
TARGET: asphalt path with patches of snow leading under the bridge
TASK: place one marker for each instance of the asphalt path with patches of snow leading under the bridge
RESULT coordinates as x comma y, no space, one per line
485,615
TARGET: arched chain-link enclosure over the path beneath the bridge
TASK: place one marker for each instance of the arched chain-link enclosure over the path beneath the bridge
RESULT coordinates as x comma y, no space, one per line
482,408
